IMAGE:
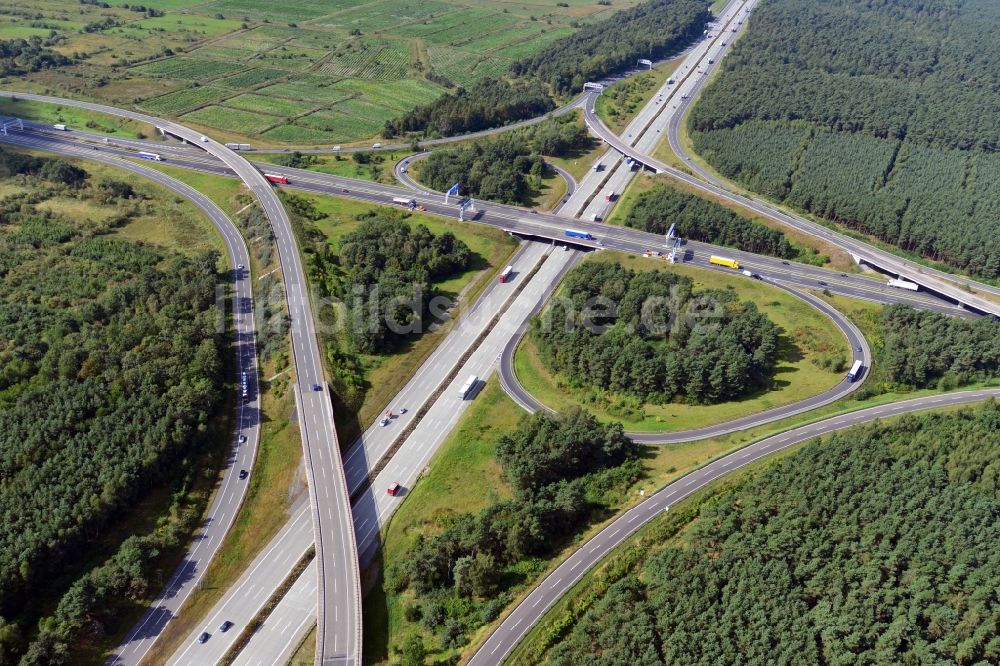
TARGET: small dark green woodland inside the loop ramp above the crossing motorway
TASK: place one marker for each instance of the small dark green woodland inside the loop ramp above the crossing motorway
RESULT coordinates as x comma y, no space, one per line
509,168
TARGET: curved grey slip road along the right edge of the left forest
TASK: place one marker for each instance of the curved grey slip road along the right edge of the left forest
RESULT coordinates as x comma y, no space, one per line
230,493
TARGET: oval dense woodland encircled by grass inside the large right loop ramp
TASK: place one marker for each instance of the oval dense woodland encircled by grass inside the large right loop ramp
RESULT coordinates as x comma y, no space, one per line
647,334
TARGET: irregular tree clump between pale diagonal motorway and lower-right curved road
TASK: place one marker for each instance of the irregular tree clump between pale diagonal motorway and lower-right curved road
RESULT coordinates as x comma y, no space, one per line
563,469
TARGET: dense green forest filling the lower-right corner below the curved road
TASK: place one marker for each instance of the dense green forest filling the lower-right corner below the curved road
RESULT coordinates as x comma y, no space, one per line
877,545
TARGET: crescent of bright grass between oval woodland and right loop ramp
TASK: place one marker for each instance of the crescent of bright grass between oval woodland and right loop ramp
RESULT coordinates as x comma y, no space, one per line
806,334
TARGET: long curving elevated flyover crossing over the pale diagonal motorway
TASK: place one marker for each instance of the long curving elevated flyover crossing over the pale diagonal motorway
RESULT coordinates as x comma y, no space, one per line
338,640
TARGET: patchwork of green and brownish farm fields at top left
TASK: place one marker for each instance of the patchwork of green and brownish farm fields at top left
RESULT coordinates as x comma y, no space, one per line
297,72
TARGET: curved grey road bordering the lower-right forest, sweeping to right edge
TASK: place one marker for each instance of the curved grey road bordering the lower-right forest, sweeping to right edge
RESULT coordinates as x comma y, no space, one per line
530,610
